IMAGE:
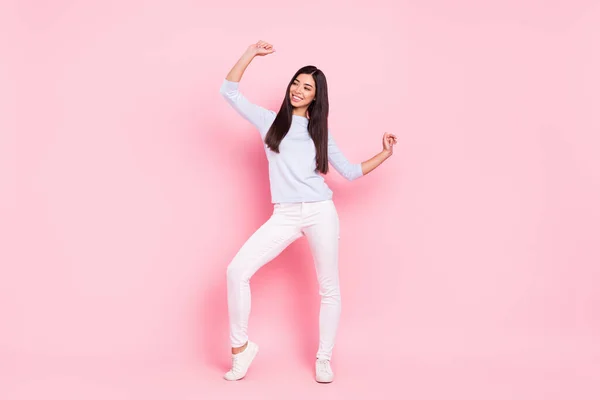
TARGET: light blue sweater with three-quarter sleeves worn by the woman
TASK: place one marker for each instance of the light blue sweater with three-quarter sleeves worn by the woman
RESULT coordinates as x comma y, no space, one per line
293,171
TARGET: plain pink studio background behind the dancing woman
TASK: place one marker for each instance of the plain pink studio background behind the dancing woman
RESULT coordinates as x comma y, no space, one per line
469,261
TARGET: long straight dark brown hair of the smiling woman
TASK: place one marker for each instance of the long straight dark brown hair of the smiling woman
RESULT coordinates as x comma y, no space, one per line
318,111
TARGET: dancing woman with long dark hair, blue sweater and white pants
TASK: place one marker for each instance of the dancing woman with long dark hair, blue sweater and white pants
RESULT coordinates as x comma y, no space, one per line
299,149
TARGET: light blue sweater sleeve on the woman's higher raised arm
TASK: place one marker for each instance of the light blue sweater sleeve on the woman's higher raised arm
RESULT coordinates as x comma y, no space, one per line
258,116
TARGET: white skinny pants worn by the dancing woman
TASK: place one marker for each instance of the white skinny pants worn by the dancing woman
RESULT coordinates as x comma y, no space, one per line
317,221
